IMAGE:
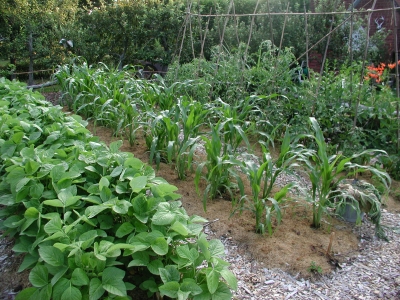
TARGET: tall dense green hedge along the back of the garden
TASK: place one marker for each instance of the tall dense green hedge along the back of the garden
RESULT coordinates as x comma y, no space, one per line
35,33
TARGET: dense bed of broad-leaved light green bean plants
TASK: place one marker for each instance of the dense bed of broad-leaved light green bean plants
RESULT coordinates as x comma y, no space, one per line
94,222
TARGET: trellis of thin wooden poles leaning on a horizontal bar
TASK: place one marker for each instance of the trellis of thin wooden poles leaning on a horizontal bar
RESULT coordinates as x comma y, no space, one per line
190,15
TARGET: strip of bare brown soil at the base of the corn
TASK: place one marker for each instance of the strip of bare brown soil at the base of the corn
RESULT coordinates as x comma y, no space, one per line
292,248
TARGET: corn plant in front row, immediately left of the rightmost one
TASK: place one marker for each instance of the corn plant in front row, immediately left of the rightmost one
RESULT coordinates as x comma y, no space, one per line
262,177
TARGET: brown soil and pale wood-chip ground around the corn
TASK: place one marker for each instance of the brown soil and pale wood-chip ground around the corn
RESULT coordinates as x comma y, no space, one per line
277,266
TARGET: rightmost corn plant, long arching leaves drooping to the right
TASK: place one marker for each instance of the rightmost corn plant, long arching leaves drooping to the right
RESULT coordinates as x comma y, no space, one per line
327,172
